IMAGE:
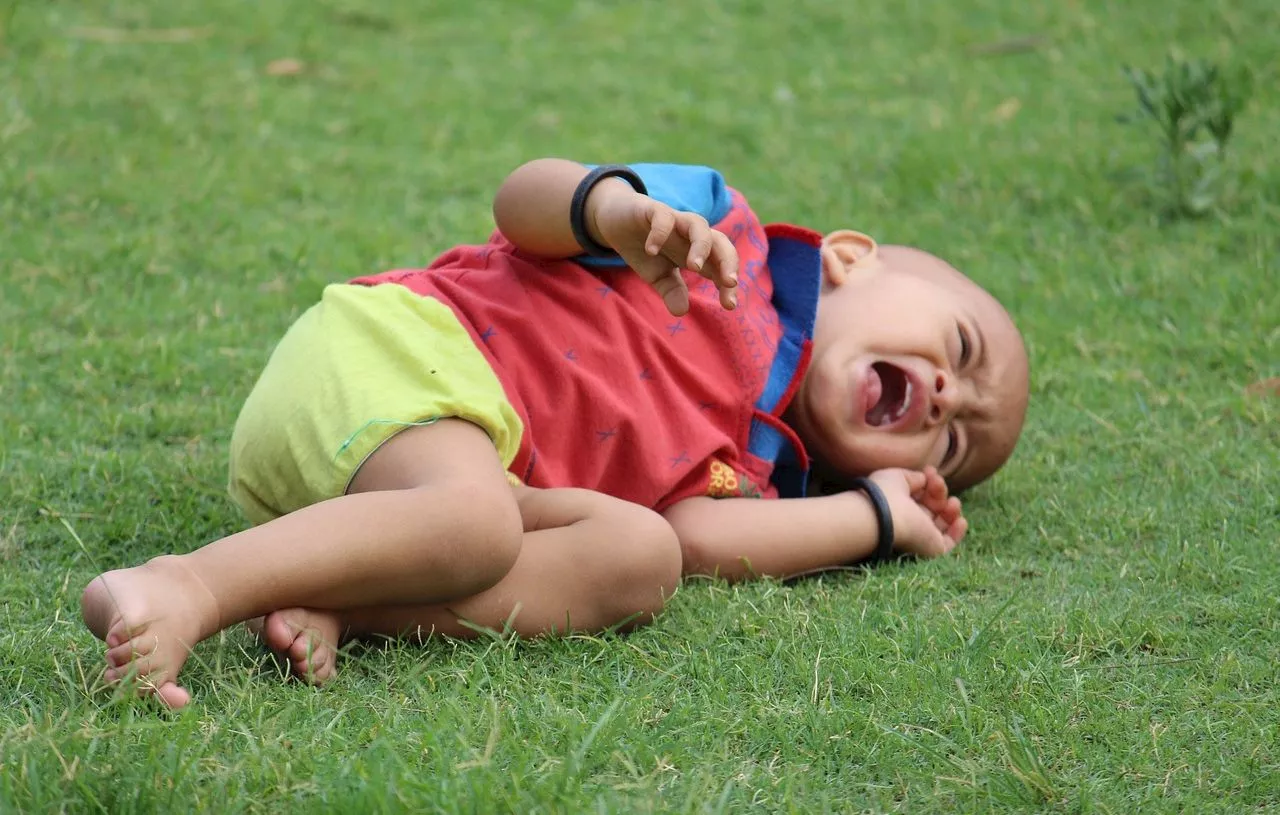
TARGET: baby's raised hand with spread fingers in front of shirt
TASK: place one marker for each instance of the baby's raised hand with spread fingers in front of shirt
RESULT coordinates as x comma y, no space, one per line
657,242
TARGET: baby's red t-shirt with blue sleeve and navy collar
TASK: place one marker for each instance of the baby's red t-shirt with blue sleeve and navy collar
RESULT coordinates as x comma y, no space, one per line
618,395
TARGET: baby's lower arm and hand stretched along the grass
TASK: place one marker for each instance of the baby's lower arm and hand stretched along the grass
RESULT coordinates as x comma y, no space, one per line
743,538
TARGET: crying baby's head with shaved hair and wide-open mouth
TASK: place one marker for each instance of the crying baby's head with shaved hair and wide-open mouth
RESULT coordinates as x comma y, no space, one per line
913,365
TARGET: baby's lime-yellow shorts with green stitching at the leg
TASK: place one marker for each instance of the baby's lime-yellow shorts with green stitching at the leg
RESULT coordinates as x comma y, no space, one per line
365,367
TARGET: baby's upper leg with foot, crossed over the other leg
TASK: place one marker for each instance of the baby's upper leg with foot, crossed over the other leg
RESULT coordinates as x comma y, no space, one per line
445,526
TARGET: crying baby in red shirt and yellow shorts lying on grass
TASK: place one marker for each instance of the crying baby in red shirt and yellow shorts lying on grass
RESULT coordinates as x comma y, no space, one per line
527,436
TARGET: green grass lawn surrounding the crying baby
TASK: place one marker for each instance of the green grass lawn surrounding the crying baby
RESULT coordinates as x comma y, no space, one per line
172,196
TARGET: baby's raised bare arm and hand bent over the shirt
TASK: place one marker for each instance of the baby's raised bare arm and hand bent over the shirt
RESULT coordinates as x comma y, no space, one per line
533,208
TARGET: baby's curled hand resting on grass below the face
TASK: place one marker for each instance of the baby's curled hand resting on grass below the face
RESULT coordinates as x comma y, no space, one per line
926,521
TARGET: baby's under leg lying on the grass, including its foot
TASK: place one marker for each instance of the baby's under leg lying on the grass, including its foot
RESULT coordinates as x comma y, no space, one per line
588,562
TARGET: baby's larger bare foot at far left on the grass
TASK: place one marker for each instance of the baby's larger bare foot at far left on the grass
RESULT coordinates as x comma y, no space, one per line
150,619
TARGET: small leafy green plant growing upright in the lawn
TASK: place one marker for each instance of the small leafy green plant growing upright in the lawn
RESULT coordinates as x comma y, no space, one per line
1195,106
